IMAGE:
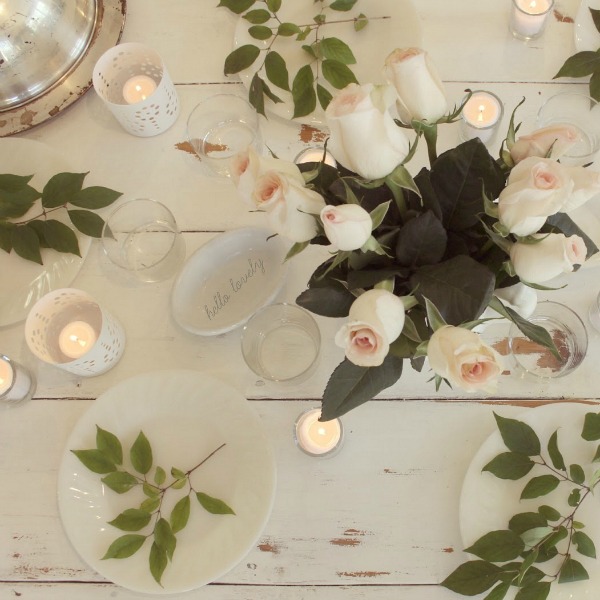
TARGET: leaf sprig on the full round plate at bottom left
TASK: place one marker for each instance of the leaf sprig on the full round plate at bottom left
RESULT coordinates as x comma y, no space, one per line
147,517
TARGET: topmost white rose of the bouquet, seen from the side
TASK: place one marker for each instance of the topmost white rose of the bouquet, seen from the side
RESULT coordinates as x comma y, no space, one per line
420,89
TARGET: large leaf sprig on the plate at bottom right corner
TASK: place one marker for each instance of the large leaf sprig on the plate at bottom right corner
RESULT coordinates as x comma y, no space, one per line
513,557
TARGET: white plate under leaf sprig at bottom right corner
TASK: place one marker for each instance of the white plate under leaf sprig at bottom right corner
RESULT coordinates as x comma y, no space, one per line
487,503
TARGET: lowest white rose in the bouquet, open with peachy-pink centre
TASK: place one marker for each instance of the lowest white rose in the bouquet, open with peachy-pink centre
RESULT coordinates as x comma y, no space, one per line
459,355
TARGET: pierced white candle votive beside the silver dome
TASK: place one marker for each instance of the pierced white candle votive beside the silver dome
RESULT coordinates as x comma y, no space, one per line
133,82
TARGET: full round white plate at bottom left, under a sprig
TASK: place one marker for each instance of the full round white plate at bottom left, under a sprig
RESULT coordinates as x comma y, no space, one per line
185,415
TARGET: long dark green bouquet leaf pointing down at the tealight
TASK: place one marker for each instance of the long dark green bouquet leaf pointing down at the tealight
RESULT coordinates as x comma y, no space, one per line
350,385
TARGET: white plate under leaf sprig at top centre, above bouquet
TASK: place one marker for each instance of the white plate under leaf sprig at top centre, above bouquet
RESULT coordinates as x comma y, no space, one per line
370,46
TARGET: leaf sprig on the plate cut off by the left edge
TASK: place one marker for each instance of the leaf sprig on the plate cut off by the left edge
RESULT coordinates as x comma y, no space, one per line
64,191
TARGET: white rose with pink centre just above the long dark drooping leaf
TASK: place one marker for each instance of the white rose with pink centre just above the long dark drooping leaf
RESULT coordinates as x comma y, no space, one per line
376,319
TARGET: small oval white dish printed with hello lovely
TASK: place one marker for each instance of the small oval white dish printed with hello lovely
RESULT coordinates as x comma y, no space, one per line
228,279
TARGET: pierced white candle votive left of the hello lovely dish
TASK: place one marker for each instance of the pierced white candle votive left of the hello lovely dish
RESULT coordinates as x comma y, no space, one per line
68,329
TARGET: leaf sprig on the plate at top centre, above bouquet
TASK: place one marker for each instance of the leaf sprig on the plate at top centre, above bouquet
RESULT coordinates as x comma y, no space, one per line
328,57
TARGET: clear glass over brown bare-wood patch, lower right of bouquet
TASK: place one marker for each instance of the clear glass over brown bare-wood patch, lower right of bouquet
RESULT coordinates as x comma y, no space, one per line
567,331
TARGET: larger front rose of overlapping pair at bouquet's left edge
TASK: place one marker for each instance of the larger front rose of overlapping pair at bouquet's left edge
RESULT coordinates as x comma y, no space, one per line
292,208
